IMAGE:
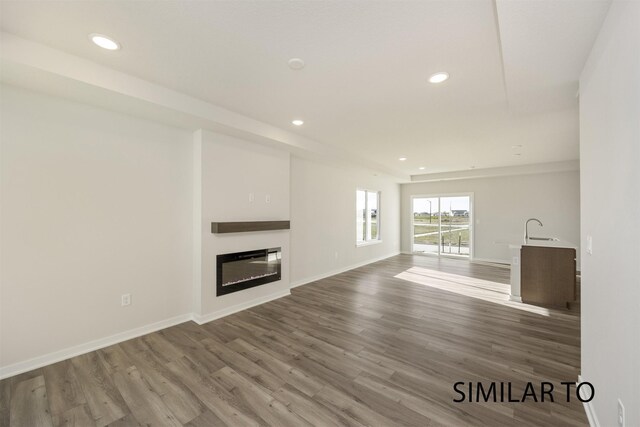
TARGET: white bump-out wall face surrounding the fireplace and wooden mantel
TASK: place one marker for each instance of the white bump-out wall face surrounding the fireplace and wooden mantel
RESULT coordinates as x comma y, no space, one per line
230,170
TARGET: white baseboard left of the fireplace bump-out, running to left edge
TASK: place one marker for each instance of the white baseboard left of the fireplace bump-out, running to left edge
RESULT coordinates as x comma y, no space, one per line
57,356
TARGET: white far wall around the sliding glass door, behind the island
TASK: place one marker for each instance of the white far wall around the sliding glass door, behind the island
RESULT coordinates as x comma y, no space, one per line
503,204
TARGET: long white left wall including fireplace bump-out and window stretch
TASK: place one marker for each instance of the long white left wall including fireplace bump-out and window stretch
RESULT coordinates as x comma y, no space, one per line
96,204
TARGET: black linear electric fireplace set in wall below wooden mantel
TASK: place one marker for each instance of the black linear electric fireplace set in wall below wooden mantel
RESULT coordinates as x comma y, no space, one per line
242,270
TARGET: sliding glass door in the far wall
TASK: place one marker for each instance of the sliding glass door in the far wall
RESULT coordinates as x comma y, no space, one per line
441,225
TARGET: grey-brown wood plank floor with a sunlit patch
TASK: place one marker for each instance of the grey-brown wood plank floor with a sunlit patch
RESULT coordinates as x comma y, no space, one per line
381,345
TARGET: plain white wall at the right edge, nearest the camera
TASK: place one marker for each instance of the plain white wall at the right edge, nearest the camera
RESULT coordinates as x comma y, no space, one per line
610,177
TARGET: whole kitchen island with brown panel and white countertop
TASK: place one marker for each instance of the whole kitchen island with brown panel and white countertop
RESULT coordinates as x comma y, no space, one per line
543,272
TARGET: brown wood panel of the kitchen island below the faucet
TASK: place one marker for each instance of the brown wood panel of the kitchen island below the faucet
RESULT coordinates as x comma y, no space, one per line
548,275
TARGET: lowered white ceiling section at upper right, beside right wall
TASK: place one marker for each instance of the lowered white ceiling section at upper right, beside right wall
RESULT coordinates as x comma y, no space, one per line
544,48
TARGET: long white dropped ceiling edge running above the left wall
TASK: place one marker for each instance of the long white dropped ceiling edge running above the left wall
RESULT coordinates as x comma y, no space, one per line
35,66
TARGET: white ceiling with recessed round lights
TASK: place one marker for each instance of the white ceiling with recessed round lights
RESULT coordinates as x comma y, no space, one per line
514,68
